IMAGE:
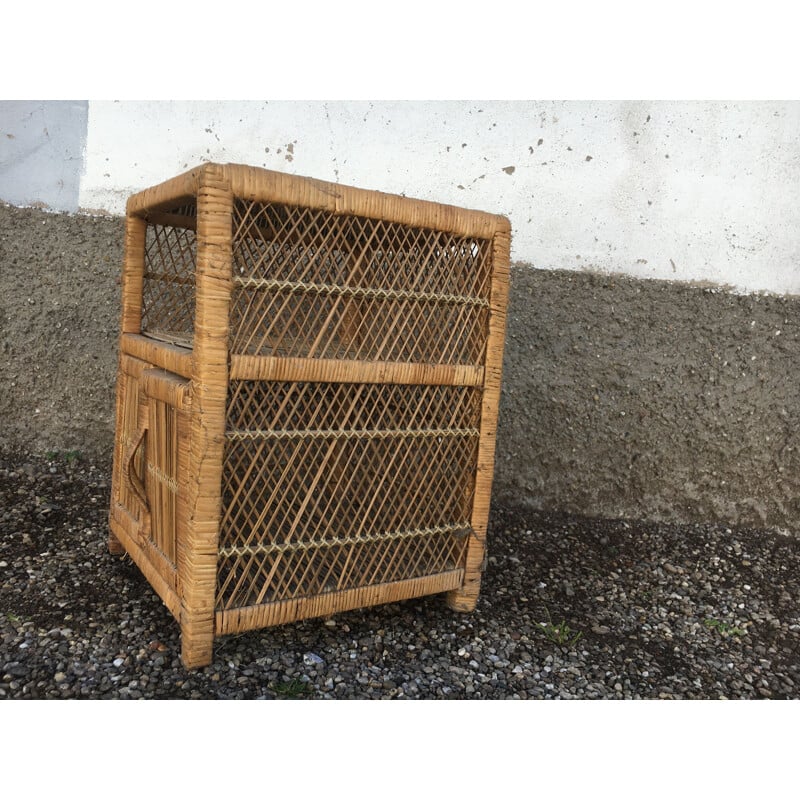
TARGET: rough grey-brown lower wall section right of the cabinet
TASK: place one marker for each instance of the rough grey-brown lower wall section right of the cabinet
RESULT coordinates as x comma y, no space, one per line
650,399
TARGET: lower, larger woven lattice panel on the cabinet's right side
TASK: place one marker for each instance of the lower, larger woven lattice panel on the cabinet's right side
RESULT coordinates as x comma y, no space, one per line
334,486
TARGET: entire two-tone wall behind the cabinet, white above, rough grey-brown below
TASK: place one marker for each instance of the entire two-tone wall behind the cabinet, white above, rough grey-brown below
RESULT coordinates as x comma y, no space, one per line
657,399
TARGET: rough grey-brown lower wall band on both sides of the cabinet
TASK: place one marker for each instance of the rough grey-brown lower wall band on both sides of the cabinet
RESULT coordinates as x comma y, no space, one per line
621,397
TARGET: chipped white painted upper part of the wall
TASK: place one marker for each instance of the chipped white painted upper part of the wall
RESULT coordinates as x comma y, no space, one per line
691,191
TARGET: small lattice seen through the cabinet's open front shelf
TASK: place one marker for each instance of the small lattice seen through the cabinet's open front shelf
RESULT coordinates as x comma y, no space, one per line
168,297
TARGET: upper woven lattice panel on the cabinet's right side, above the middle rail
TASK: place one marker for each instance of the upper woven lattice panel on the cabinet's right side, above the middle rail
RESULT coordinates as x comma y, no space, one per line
312,284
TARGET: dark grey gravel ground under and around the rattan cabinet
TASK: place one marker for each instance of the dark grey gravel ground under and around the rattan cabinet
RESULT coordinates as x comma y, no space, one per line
570,608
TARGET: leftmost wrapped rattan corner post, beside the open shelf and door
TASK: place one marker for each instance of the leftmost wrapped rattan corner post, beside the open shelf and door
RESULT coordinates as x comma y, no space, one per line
131,322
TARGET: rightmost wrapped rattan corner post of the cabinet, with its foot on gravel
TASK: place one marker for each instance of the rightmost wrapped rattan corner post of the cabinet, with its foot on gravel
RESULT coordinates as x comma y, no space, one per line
465,597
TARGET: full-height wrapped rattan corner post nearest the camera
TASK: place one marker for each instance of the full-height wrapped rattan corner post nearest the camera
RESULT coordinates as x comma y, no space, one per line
198,549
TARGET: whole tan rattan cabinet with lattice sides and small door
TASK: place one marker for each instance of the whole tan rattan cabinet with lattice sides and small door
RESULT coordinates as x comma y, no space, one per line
307,396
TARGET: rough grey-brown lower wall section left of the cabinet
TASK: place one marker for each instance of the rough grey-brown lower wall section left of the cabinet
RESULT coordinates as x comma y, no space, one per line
59,317
